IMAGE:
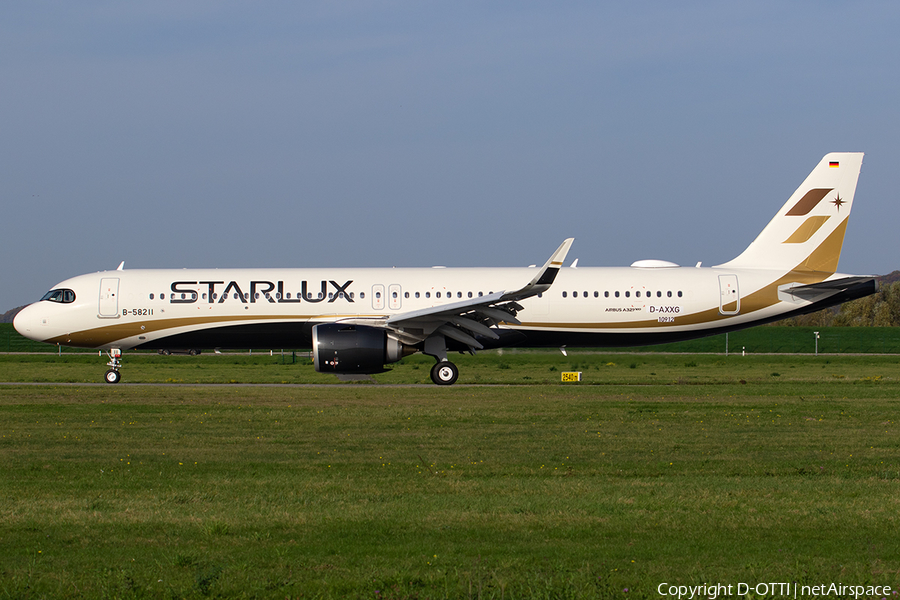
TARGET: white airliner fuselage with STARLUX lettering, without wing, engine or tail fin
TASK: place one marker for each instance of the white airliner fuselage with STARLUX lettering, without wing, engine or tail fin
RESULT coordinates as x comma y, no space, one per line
585,306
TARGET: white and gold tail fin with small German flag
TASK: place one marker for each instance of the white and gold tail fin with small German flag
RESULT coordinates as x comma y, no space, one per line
808,231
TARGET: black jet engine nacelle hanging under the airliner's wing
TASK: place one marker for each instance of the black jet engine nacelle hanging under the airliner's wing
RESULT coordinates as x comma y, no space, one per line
343,348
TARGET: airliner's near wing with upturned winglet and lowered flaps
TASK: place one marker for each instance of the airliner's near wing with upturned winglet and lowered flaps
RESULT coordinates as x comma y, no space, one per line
476,316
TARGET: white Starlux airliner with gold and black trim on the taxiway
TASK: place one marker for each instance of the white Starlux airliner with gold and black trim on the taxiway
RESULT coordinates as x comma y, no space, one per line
360,320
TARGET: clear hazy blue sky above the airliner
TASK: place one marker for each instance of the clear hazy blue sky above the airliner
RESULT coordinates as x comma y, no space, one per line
234,134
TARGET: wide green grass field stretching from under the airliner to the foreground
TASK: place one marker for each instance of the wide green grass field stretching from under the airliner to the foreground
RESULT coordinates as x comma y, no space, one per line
683,469
